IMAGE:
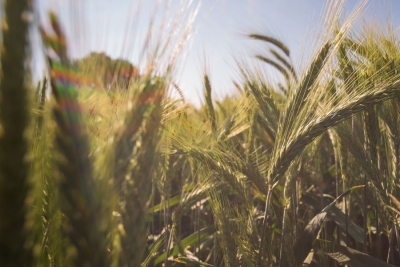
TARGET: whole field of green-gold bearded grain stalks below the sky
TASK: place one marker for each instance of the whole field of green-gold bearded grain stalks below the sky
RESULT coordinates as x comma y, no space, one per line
300,173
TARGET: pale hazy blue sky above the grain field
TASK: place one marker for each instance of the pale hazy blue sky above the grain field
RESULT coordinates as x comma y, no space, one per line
219,32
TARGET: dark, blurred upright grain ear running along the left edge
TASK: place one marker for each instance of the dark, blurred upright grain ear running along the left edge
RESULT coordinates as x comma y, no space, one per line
13,146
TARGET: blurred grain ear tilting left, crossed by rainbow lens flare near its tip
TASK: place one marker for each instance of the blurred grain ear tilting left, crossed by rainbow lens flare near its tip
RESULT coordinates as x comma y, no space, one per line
78,199
